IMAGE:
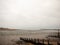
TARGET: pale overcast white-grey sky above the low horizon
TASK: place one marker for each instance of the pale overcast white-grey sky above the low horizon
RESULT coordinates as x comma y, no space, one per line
30,14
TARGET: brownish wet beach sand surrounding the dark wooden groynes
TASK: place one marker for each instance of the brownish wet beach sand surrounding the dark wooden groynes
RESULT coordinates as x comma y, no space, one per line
11,37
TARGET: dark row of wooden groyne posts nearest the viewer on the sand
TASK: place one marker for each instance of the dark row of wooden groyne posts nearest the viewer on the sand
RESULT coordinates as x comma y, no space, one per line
36,41
